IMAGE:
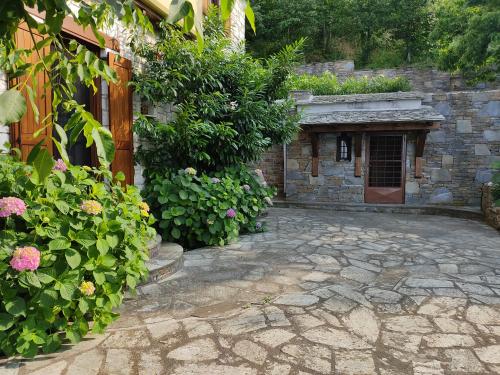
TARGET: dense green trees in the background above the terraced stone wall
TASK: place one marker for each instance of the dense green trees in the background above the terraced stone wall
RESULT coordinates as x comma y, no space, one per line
455,35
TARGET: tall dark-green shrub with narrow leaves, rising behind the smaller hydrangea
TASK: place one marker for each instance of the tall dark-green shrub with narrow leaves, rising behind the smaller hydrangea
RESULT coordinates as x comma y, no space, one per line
226,110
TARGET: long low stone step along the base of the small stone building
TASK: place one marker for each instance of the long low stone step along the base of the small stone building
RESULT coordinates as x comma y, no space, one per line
473,213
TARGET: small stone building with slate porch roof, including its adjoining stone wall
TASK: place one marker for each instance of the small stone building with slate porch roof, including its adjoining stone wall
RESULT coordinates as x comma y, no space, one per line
413,148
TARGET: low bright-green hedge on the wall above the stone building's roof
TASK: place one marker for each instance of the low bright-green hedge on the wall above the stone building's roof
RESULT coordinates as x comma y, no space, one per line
328,84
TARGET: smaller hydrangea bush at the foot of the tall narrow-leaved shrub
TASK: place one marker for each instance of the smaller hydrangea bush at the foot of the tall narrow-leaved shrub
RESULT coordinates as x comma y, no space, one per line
207,209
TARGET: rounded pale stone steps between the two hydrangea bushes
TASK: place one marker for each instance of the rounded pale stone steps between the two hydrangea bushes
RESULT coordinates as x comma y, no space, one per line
168,260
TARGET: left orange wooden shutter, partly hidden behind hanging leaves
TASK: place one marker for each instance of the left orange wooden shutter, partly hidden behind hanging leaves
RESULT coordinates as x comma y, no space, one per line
22,132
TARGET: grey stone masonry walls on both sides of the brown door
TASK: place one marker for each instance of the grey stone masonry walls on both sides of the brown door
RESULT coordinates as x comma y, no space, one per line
457,156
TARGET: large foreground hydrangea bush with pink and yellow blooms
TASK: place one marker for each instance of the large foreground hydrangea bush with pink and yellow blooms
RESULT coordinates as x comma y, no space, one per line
66,257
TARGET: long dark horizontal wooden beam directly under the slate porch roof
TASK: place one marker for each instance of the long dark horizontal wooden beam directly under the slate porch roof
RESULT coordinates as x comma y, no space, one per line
373,127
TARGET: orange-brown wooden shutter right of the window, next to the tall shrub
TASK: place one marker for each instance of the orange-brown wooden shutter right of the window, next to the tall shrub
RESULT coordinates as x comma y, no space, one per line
120,117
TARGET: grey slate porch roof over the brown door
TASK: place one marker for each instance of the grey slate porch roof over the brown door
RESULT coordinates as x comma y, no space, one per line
424,114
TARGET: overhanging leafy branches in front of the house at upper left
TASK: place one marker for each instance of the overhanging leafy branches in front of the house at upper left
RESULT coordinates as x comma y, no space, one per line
68,62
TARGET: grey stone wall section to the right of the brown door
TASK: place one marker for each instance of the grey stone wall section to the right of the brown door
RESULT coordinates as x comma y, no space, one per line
458,156
